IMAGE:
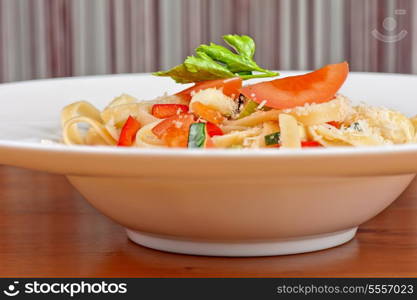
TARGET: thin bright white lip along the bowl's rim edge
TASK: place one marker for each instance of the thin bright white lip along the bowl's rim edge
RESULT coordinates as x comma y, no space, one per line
178,152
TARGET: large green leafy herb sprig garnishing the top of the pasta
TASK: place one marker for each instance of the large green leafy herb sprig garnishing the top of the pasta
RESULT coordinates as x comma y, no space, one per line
216,62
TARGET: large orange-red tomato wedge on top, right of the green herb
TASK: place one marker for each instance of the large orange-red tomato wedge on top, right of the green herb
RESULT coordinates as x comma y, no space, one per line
315,87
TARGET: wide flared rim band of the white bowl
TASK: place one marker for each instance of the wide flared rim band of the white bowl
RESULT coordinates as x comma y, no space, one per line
35,155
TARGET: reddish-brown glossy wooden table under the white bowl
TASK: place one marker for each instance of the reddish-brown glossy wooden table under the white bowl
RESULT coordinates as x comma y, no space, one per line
47,229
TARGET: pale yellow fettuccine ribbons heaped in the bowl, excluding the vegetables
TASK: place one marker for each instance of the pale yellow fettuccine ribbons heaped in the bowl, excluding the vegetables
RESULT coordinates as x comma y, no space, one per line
332,124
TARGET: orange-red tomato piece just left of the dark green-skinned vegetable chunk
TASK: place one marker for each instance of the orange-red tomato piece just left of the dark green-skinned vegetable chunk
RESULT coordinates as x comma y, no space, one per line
174,130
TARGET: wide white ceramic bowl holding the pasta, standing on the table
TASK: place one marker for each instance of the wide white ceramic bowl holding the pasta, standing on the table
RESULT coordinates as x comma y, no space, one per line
213,202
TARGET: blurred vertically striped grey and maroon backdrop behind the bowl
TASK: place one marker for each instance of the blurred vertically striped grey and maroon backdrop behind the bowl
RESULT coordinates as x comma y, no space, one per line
54,38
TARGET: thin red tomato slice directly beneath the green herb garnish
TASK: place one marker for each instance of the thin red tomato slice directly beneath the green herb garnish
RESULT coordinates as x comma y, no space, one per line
231,87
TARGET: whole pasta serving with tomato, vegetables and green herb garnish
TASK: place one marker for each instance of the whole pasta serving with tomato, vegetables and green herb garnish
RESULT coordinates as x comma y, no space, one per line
219,111
